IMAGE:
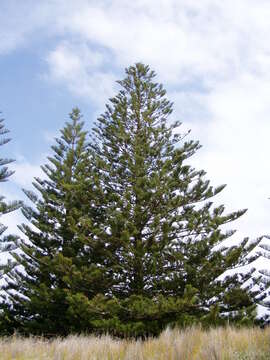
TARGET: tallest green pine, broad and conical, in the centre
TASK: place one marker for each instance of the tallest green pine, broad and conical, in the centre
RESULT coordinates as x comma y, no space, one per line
161,231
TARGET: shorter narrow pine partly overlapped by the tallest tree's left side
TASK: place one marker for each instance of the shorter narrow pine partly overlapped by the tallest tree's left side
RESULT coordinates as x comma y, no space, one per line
57,257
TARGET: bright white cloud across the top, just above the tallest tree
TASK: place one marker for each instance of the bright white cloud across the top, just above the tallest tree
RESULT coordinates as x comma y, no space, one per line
178,38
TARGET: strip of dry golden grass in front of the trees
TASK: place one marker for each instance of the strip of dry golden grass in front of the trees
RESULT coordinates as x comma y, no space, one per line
216,344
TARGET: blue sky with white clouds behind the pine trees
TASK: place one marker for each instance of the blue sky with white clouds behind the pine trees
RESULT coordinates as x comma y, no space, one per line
212,56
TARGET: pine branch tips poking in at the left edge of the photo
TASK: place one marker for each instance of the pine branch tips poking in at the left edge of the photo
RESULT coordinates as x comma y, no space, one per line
8,242
